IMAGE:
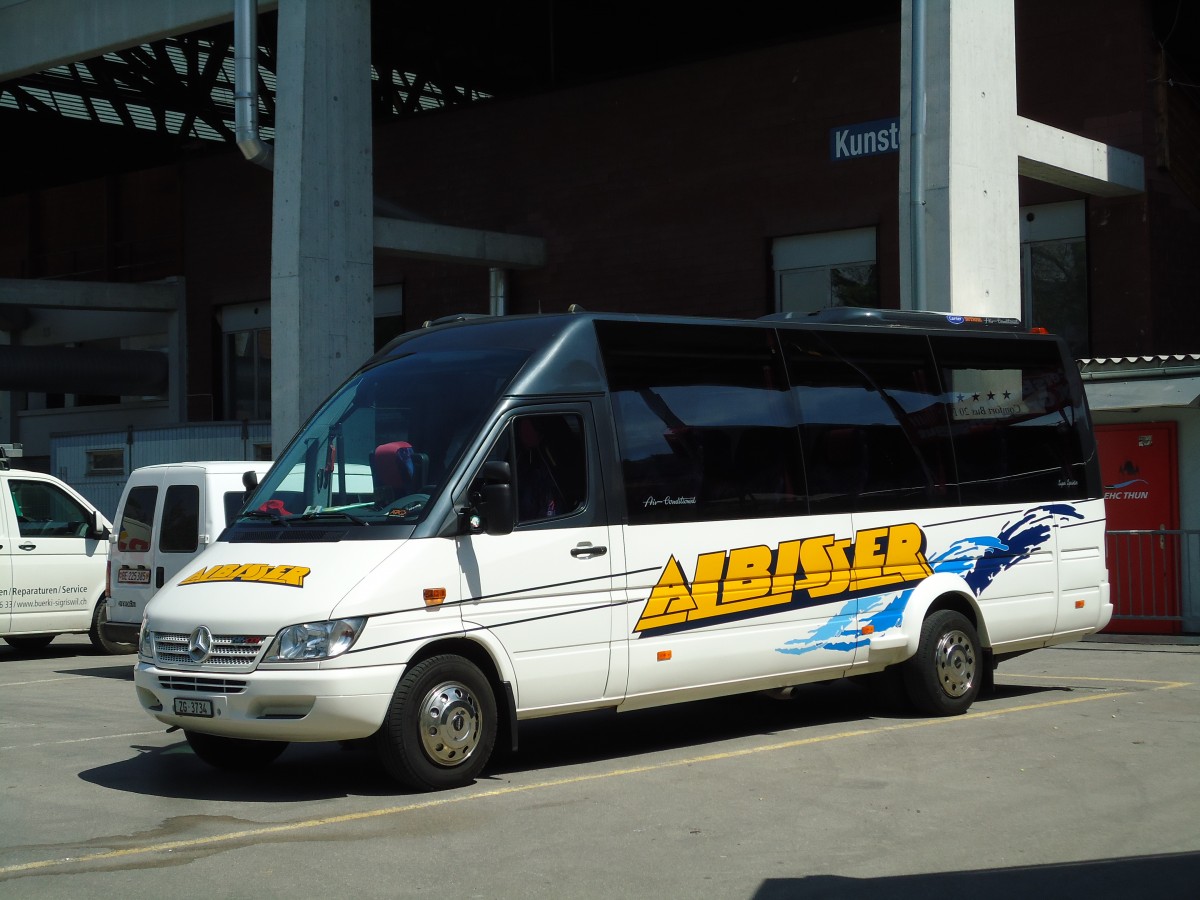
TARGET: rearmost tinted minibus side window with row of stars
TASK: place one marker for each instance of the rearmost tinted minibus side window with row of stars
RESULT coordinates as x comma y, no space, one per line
1021,435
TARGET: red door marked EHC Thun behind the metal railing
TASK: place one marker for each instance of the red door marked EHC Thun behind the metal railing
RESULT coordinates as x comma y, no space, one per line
1138,465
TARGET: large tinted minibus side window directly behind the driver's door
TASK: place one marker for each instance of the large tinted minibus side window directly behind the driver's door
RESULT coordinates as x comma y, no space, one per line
705,422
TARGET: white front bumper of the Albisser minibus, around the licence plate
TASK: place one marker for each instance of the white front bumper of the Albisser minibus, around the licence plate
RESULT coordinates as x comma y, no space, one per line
305,705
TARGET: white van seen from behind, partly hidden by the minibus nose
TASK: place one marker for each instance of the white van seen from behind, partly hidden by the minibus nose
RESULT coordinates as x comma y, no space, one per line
166,517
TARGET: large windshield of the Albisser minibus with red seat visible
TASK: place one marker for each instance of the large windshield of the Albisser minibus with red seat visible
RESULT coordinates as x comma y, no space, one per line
381,451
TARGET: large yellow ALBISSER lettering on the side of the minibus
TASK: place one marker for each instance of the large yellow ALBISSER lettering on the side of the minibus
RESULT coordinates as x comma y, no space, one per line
799,573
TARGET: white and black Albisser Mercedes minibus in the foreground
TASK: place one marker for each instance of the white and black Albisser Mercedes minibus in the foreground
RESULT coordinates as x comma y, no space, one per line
590,511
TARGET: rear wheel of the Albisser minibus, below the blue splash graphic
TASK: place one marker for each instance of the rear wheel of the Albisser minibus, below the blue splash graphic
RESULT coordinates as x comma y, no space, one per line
945,675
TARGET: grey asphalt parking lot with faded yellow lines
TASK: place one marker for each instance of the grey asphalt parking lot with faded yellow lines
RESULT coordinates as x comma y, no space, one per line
1077,777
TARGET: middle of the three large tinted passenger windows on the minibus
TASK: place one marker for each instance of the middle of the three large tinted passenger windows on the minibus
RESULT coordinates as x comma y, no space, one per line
874,421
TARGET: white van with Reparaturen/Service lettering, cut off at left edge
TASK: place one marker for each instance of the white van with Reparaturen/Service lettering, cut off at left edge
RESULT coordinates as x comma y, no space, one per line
53,555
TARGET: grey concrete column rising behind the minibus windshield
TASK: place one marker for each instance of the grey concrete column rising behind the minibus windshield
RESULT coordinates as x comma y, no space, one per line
322,247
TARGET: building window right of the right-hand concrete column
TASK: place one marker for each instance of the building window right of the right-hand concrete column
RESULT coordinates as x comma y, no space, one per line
1054,273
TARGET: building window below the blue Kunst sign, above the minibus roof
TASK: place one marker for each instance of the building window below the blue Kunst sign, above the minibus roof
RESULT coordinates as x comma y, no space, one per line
833,269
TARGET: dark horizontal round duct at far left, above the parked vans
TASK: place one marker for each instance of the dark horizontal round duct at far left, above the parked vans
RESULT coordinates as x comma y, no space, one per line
77,370
